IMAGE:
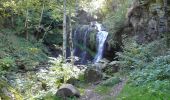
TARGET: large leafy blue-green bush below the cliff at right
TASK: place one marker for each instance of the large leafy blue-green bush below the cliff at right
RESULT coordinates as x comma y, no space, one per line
148,65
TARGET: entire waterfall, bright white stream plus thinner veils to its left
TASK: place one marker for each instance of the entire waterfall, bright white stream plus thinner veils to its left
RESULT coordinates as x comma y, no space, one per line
82,47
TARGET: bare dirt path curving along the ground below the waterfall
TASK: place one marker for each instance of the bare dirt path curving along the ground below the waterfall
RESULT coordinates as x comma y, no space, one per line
91,94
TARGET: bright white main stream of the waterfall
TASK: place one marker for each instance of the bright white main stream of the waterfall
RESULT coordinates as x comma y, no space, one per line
101,38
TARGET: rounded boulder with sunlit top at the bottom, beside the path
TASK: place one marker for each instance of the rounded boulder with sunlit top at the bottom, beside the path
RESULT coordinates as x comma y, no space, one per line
67,90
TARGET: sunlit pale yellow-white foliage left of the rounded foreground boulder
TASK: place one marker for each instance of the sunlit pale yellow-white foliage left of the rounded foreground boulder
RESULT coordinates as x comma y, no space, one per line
44,82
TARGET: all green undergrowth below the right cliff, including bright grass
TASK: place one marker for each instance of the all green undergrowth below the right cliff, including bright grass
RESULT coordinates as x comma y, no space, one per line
148,69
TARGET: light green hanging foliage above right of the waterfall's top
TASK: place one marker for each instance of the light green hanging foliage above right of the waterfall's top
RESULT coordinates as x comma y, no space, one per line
115,20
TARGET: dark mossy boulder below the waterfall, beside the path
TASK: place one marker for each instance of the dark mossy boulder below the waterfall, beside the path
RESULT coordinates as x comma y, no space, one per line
93,75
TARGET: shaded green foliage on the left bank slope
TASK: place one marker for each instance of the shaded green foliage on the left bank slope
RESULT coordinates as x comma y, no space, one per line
17,52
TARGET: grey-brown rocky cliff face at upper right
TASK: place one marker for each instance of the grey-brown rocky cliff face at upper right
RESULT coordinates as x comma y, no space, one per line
148,19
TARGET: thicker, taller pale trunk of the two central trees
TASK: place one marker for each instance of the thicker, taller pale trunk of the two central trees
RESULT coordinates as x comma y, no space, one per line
64,32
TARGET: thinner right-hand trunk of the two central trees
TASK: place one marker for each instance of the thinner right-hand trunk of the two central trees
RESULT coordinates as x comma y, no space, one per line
71,39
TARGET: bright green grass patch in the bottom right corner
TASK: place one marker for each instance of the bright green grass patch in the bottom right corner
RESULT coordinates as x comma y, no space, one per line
142,93
